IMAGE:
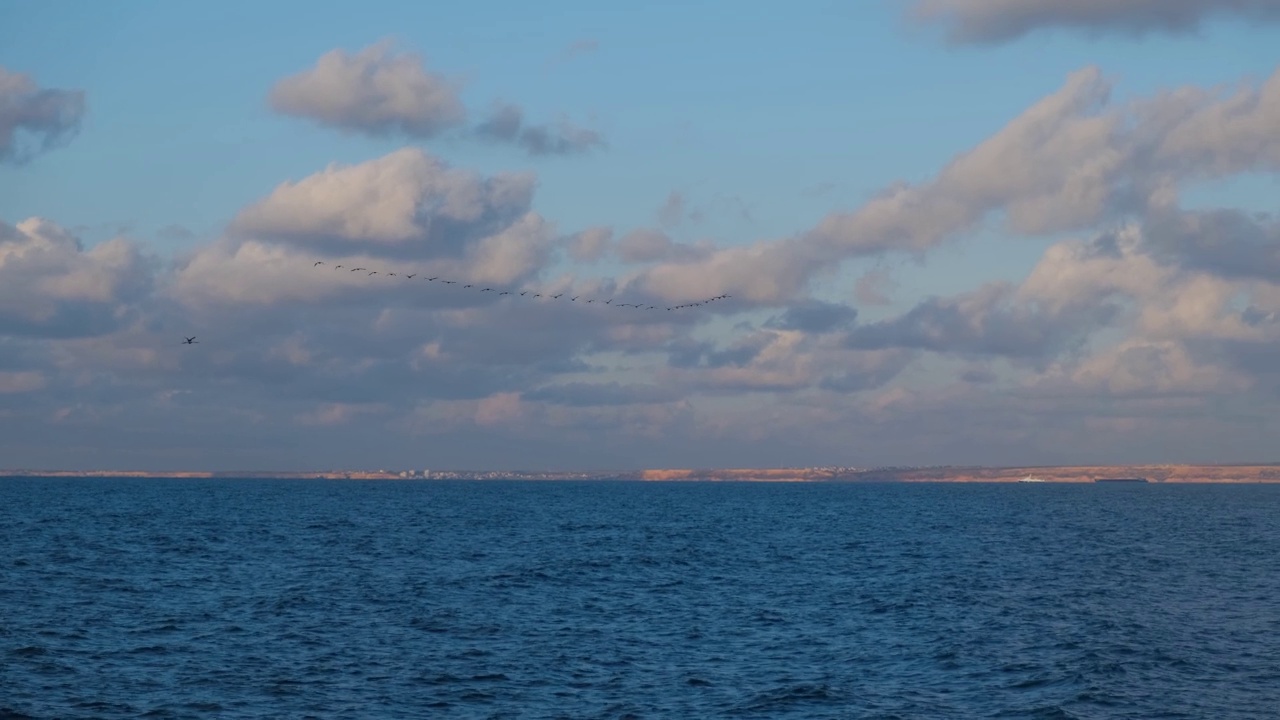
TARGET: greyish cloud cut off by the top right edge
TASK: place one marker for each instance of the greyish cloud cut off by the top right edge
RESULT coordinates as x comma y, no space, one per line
989,22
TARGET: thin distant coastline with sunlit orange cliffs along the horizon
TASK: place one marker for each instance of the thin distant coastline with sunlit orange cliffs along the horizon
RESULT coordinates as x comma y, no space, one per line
1261,473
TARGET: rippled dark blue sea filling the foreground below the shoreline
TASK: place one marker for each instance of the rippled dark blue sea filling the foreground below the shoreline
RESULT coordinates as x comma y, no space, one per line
318,599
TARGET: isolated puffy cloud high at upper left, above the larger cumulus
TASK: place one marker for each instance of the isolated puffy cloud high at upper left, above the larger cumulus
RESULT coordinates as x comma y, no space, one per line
376,92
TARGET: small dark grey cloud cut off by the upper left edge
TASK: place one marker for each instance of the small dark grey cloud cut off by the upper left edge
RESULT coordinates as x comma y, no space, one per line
35,121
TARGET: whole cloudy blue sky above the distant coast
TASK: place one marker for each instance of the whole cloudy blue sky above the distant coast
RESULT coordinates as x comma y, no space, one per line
971,233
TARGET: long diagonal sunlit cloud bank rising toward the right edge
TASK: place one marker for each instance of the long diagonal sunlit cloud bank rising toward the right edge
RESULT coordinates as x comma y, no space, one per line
1069,163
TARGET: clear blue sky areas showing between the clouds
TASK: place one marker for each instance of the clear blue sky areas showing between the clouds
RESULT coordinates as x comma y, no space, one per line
790,113
